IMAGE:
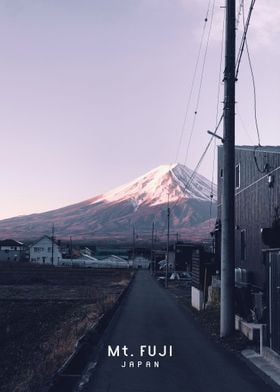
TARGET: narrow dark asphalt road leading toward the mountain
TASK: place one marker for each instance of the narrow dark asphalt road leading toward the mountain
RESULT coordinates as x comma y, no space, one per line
149,316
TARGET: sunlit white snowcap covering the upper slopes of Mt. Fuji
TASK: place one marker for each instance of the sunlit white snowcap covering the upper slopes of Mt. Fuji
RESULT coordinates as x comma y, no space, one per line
166,182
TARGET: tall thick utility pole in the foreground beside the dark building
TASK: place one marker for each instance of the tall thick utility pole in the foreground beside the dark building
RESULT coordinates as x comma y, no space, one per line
228,202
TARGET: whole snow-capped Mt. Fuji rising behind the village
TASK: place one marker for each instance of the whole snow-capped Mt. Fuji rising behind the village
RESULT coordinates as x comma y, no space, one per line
113,215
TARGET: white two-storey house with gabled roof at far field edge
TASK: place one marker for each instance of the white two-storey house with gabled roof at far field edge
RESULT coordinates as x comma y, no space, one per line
45,251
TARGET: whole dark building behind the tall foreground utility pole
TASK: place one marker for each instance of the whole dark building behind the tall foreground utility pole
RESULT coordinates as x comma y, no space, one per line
257,234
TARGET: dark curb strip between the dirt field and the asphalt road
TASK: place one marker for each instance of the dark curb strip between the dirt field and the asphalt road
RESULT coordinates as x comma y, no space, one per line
88,348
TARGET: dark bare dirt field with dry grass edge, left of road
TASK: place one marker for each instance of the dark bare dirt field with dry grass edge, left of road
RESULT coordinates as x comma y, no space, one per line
43,313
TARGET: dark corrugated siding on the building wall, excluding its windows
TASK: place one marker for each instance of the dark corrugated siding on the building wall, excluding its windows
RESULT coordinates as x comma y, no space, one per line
255,206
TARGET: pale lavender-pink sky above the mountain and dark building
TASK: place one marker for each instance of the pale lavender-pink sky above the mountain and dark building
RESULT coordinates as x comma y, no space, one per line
93,93
